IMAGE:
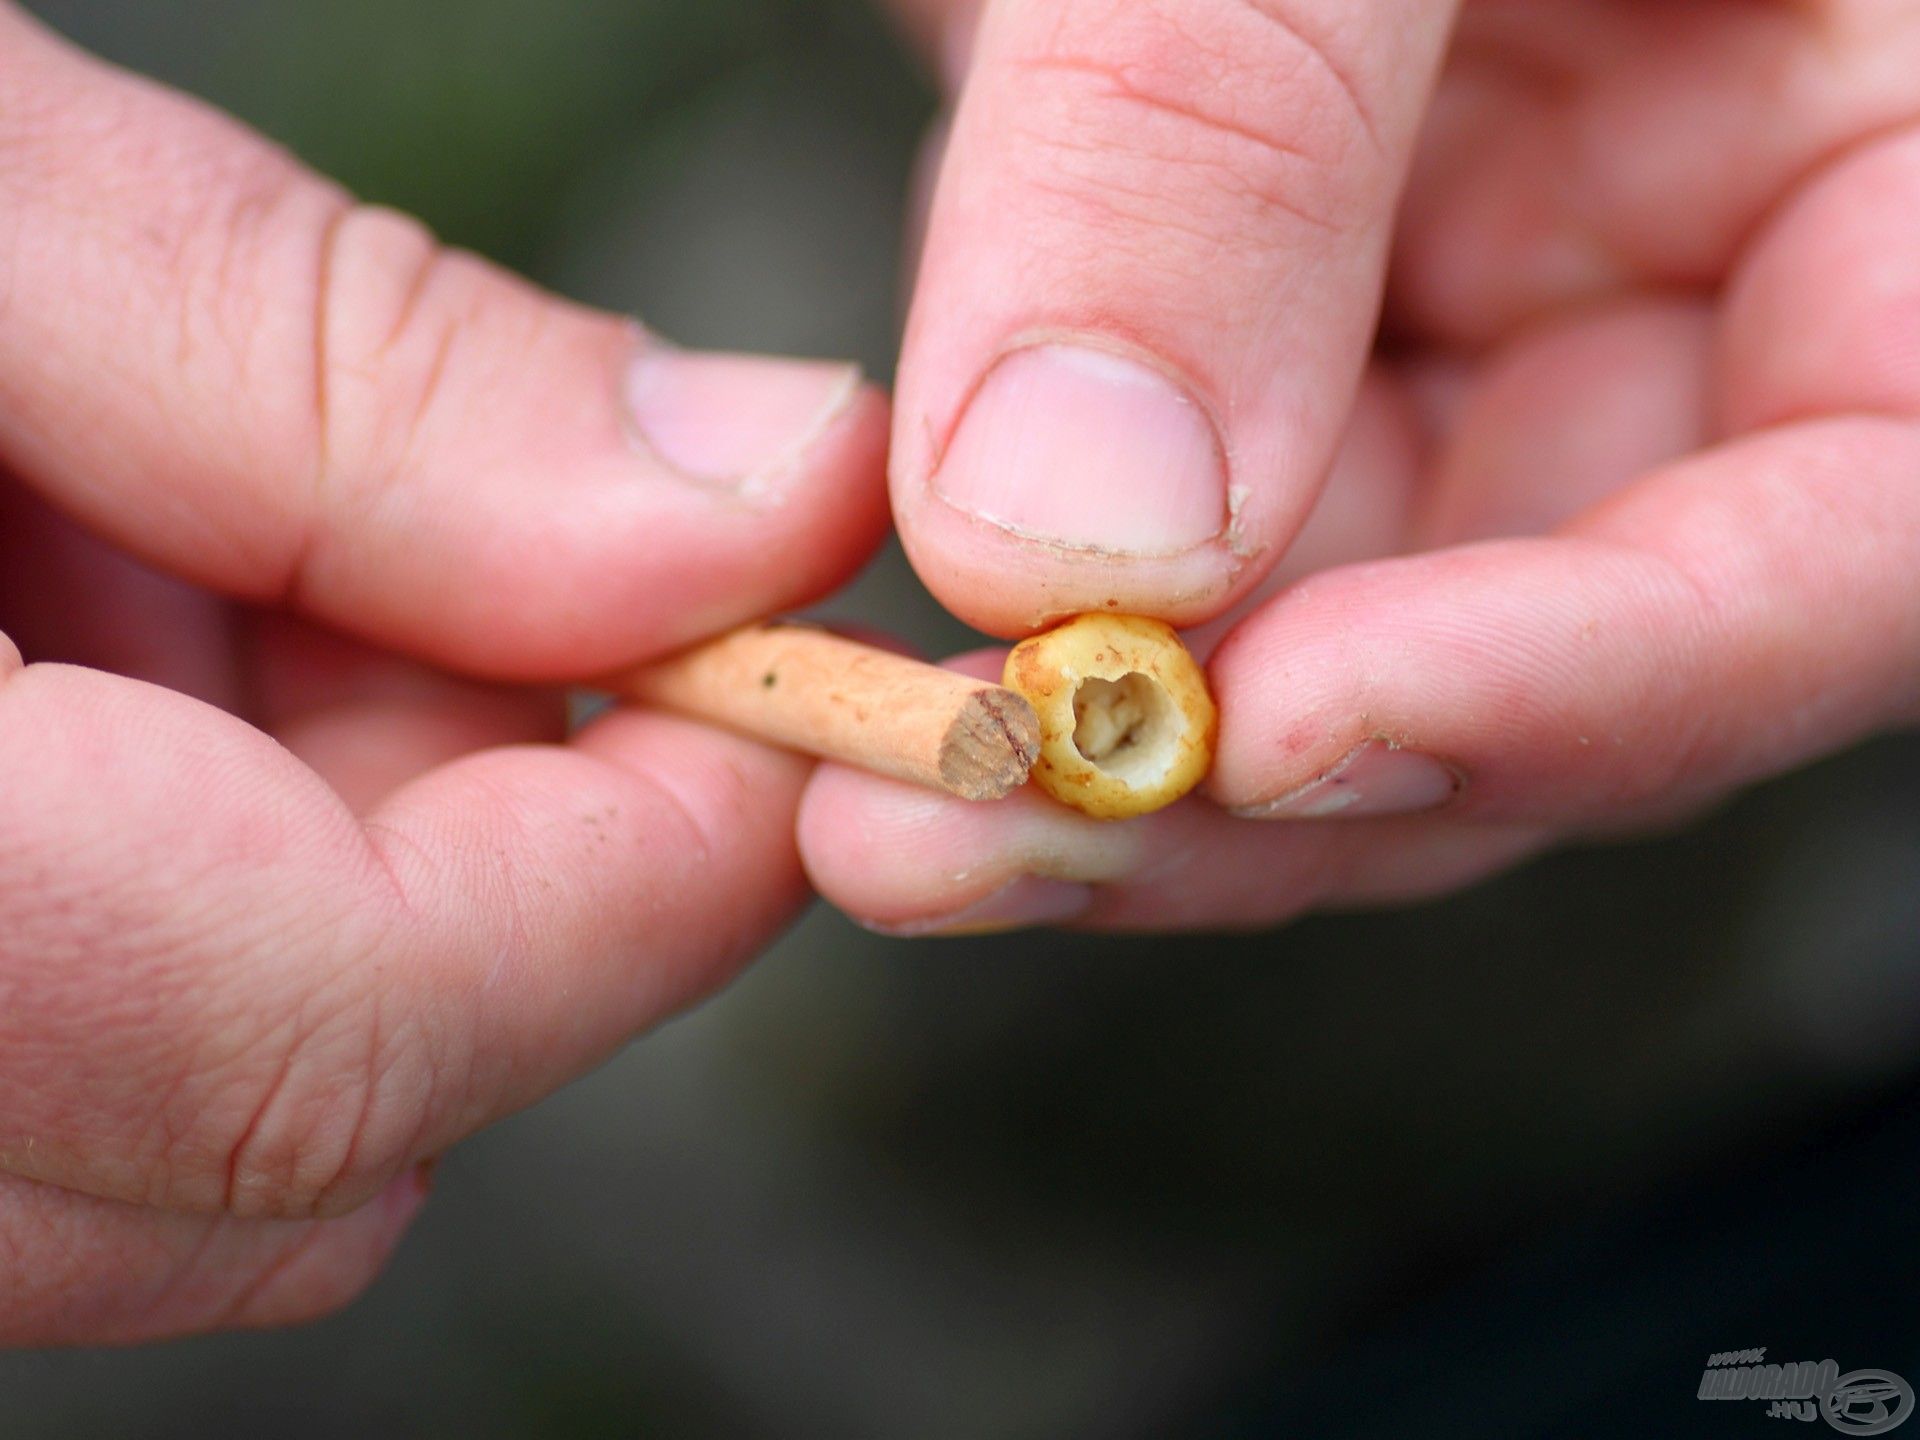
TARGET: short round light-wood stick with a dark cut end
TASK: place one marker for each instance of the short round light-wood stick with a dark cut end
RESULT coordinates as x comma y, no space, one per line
815,692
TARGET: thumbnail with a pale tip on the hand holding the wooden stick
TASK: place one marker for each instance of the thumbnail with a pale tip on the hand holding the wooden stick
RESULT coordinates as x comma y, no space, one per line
732,420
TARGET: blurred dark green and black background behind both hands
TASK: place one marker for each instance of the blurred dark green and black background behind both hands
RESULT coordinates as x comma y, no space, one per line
1051,1186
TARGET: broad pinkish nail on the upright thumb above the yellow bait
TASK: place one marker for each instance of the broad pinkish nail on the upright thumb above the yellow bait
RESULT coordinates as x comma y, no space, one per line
1088,450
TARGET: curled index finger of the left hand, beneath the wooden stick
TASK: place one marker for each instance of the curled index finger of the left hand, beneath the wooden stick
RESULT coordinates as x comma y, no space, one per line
224,992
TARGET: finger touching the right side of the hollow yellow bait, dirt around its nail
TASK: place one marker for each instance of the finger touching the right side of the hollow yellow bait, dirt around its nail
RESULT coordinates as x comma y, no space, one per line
1727,617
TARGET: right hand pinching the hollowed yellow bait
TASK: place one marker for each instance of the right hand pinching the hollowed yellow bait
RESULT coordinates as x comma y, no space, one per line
1627,510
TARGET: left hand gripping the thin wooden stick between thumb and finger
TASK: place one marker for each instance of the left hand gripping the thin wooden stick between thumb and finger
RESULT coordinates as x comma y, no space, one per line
249,988
